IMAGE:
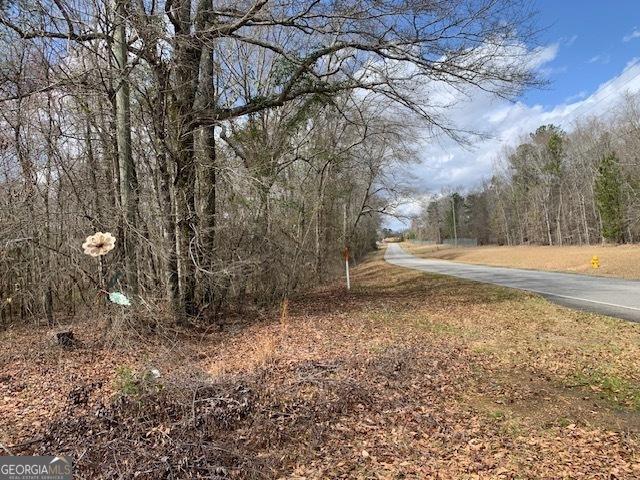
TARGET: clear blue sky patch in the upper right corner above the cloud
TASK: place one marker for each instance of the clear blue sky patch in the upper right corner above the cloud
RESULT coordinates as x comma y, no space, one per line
591,37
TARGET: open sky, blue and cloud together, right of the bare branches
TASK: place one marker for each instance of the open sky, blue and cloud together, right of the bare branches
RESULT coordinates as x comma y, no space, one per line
588,51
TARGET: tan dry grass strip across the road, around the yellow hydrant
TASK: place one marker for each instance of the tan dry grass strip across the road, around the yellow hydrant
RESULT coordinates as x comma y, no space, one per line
615,261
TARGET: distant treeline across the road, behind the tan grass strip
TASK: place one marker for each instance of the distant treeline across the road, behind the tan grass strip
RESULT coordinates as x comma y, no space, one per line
555,188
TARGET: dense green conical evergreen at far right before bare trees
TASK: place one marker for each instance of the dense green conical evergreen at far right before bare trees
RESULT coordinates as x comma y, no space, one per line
608,192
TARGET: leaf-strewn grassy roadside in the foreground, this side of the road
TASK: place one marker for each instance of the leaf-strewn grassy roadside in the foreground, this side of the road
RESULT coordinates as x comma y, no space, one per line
408,376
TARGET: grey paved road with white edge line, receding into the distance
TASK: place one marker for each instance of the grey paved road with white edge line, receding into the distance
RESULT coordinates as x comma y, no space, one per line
609,296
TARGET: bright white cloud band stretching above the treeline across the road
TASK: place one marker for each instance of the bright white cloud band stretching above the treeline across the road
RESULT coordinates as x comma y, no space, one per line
445,163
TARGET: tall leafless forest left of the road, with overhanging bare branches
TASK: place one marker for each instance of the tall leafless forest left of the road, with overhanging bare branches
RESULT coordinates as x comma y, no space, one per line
233,149
